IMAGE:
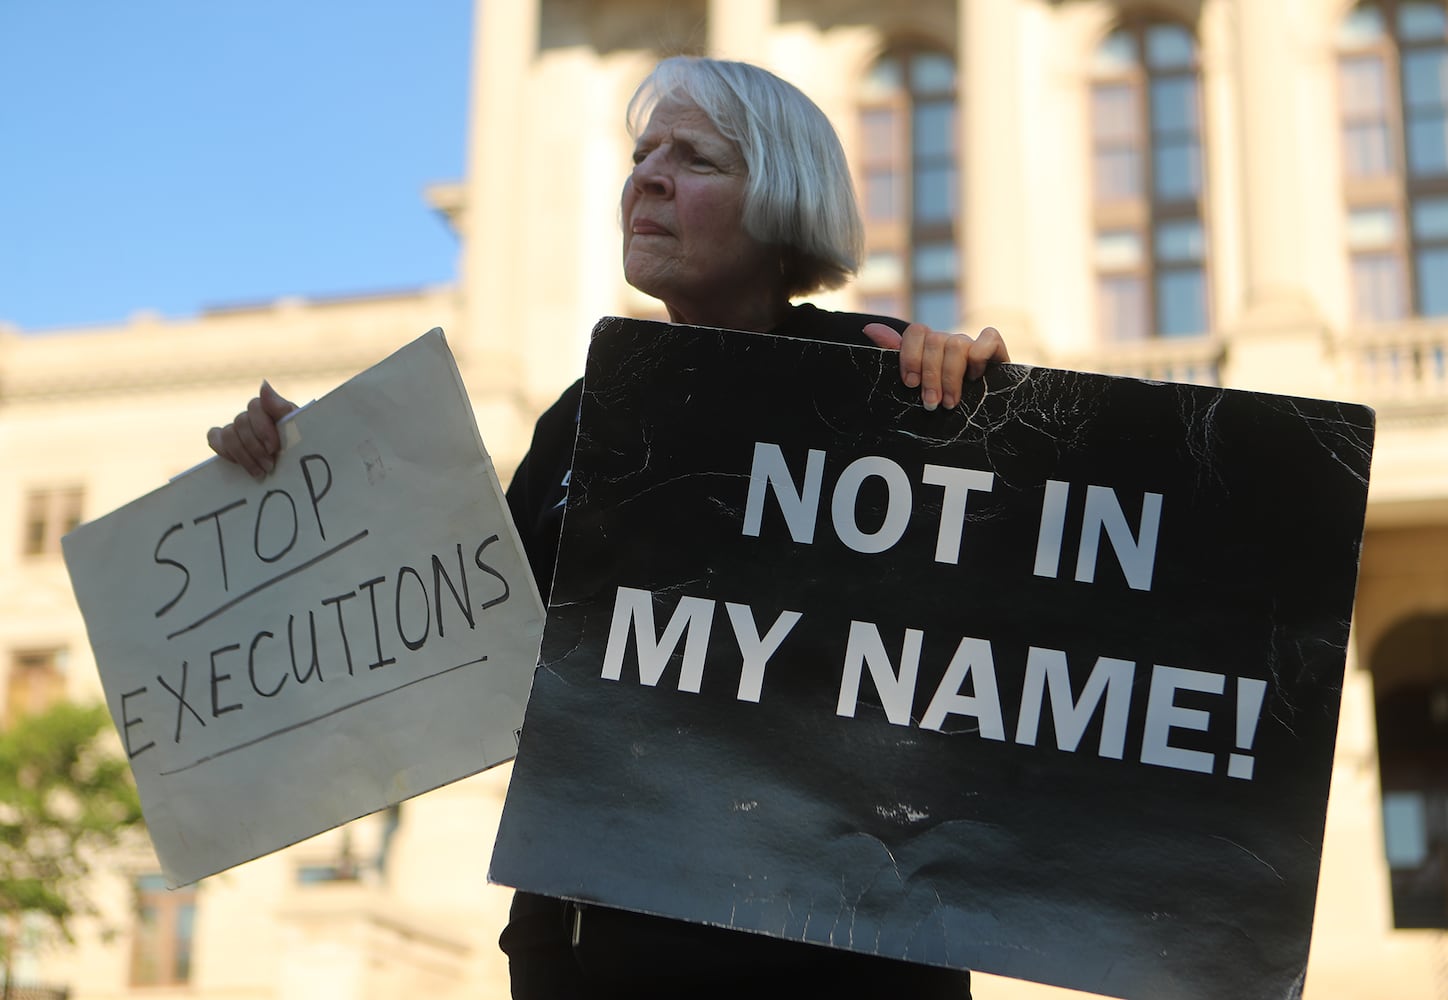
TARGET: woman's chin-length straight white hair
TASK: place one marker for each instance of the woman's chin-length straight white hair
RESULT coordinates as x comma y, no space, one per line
800,196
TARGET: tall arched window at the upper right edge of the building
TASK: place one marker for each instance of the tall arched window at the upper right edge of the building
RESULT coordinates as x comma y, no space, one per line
1394,93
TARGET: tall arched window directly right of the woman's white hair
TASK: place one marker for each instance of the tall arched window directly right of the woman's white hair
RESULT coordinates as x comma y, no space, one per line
910,189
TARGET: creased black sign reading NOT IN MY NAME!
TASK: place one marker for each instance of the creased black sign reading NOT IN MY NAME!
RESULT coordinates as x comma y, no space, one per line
1045,687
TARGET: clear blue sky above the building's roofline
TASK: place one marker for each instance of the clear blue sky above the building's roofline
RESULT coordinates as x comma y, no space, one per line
177,154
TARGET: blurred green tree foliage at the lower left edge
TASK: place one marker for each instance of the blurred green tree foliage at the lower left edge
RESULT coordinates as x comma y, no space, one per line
64,797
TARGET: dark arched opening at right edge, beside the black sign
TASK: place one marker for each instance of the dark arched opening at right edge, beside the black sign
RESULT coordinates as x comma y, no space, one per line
1411,678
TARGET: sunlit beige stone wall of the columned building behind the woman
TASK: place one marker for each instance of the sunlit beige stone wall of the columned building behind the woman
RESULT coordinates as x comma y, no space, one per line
119,410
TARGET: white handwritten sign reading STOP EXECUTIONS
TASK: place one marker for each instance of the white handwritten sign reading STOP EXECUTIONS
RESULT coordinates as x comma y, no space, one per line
285,656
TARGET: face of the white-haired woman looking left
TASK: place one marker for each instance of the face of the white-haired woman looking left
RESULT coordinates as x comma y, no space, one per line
683,219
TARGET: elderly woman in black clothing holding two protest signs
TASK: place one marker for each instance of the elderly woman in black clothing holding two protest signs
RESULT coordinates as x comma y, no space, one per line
739,202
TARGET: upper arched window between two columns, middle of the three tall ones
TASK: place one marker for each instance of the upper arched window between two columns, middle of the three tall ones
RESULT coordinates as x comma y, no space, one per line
1148,183
